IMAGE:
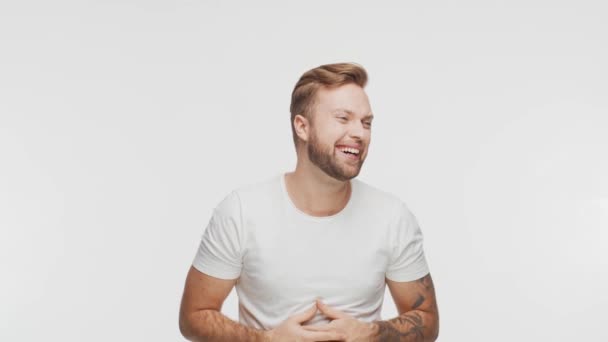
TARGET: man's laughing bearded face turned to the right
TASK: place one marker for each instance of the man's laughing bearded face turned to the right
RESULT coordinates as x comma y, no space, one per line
340,131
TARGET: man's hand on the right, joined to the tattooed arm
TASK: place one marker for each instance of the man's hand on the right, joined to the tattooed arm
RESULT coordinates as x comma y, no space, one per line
352,328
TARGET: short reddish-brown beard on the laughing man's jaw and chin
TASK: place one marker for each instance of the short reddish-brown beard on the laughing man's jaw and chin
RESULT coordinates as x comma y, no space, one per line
325,159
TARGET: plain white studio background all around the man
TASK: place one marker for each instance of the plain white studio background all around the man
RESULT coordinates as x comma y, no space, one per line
123,123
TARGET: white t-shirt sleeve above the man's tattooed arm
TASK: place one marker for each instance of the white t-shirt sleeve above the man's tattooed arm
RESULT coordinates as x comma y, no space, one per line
407,262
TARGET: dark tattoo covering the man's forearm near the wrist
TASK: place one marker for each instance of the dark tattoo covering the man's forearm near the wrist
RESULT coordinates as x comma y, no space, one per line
412,324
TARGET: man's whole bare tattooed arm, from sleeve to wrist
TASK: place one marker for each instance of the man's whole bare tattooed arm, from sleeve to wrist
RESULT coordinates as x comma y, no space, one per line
418,319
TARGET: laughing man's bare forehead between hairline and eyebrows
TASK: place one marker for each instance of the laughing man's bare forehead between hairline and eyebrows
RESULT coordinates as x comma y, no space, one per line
348,97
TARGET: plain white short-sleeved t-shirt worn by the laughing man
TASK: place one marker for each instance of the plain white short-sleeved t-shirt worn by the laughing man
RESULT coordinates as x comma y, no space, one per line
285,258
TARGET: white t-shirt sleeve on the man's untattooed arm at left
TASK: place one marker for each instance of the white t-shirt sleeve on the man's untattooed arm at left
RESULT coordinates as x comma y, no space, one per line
220,250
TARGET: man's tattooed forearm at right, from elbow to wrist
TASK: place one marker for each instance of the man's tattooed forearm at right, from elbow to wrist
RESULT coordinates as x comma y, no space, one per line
411,326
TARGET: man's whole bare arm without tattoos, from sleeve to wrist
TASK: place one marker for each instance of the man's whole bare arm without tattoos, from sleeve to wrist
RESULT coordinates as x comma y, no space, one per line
200,318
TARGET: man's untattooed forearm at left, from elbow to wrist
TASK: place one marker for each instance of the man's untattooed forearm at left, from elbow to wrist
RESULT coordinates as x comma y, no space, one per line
212,326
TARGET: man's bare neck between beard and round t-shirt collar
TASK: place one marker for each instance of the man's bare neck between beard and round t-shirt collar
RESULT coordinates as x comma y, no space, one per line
314,192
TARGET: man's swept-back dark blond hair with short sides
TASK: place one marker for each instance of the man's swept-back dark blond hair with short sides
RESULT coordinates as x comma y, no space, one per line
328,75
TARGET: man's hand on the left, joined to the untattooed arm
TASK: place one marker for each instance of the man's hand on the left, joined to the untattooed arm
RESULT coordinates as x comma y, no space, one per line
292,330
